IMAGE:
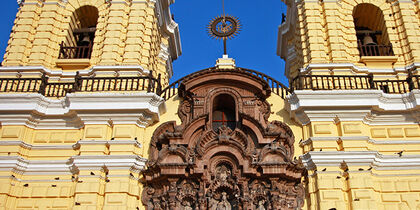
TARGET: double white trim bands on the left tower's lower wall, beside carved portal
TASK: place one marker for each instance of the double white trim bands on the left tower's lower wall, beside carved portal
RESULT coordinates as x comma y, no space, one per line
73,164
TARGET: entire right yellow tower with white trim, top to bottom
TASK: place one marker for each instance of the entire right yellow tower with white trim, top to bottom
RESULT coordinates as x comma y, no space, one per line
353,73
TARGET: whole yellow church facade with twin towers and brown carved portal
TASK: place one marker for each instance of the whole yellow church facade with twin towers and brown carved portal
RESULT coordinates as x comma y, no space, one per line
90,121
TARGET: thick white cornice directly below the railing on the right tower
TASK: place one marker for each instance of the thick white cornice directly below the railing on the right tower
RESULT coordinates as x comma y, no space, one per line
373,107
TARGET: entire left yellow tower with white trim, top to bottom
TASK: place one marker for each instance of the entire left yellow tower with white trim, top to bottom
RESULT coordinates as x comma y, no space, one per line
80,88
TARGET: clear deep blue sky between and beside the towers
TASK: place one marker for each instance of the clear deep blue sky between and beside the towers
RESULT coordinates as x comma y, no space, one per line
254,48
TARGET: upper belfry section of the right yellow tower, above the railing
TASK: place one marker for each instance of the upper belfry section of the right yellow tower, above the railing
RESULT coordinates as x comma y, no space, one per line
353,38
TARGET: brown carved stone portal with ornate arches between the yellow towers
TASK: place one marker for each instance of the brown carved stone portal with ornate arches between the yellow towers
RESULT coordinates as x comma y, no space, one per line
247,166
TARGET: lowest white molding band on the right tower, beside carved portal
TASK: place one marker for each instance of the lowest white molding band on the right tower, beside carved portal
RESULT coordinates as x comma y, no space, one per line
312,160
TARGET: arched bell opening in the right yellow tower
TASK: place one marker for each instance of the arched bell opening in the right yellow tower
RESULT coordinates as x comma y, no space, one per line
371,31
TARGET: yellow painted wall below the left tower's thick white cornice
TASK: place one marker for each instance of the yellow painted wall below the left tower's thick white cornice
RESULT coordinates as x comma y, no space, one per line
100,188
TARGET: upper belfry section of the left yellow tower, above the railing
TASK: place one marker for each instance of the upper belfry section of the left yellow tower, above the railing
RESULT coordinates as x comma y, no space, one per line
127,37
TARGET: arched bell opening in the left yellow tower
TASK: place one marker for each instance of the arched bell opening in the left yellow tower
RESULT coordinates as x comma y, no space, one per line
81,33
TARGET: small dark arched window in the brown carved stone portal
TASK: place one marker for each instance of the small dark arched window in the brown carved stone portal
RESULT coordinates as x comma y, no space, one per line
224,113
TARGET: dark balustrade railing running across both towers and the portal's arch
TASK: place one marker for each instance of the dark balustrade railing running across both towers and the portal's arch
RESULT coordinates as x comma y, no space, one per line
151,84
